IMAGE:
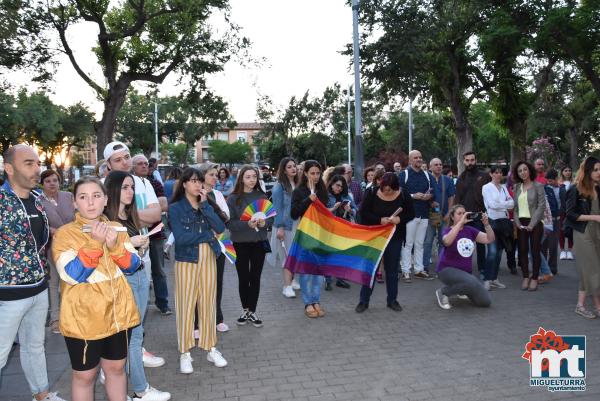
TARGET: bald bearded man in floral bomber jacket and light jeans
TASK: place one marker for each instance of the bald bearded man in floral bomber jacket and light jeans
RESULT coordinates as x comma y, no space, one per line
23,284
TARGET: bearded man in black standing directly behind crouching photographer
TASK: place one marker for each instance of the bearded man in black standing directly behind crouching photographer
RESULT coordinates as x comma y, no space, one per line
469,194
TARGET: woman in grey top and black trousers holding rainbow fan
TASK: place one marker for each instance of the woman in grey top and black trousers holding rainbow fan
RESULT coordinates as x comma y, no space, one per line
250,241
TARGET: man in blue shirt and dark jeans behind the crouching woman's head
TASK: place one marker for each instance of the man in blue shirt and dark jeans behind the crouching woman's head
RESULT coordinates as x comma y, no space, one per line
443,199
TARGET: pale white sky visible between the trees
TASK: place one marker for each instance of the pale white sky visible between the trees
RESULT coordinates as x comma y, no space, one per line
300,41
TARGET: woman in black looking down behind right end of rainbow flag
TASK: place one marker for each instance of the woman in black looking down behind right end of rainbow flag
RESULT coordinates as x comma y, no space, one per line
387,204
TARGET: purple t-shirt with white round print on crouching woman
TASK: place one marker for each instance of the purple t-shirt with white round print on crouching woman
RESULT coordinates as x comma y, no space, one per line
459,253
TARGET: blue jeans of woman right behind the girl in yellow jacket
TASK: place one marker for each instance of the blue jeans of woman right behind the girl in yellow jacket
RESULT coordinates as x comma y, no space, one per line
140,286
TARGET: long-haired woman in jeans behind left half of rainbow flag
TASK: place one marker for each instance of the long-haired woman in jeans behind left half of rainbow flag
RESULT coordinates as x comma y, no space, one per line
311,188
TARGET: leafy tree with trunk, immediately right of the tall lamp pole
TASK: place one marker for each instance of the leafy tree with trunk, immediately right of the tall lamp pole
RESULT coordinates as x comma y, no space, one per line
415,48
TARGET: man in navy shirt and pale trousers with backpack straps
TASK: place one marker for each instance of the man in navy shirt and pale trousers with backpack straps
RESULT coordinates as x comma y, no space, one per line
418,184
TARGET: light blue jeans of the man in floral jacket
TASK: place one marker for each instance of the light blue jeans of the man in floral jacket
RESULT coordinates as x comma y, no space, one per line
27,317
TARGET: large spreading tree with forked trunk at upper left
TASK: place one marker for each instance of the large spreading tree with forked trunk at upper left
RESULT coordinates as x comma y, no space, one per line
142,41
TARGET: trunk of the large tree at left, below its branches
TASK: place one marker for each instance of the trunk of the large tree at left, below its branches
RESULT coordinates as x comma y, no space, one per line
105,128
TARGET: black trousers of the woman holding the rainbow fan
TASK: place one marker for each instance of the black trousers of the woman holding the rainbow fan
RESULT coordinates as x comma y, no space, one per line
249,264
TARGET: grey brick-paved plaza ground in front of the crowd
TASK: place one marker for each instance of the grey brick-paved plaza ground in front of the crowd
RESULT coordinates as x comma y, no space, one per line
421,353
